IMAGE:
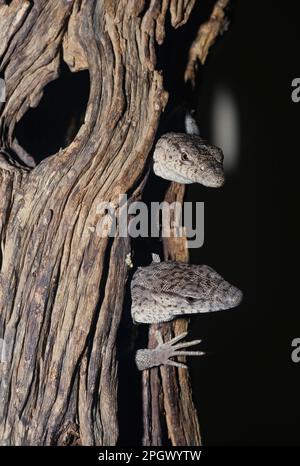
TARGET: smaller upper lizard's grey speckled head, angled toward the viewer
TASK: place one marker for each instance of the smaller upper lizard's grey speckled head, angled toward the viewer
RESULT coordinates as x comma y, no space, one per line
188,159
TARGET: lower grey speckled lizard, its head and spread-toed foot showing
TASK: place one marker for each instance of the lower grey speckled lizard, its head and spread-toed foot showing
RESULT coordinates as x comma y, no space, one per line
163,291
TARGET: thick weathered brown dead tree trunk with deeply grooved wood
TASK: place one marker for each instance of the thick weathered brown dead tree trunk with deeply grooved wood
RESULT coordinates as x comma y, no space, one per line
61,284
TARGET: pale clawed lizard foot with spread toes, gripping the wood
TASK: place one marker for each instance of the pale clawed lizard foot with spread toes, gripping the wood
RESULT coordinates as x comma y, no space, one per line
146,358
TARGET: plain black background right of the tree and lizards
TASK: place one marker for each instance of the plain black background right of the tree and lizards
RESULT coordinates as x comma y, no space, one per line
246,389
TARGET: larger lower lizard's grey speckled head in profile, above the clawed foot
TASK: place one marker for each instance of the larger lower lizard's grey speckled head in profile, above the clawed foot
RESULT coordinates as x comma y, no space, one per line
166,290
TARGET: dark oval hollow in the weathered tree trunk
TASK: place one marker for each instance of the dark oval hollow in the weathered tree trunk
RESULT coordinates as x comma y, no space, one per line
55,122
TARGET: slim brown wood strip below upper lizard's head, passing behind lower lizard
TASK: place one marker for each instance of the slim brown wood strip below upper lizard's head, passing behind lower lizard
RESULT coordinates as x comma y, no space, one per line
174,384
